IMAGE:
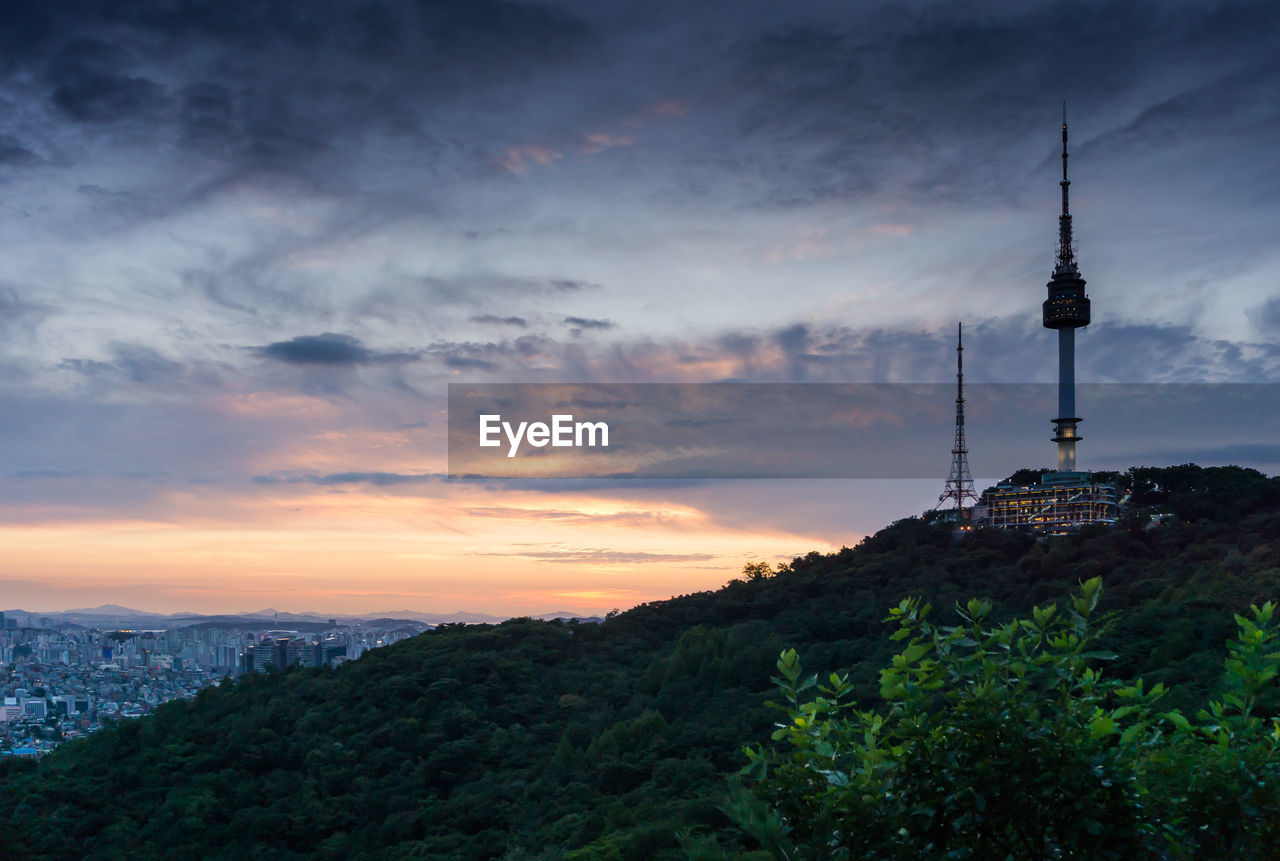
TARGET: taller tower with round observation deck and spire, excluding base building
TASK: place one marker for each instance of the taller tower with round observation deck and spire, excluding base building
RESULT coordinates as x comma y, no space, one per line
1067,310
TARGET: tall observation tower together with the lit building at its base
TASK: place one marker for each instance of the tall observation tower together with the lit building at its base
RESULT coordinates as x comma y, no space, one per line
1067,498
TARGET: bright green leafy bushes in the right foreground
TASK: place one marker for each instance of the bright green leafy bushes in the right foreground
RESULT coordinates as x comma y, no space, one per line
1003,741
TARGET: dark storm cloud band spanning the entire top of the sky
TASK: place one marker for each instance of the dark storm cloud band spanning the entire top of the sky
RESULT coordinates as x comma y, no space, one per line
275,86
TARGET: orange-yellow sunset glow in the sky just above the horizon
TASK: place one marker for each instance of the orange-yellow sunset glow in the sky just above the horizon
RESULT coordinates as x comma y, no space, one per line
445,547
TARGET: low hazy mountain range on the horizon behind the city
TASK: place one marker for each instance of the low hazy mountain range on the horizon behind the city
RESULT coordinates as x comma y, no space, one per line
115,613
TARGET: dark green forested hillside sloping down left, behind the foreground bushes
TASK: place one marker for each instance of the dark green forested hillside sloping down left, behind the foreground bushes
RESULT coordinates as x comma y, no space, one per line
552,740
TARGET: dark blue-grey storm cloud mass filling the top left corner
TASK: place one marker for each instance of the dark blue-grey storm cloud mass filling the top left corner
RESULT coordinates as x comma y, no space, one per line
269,86
